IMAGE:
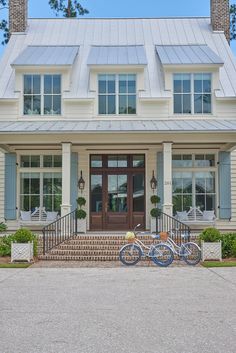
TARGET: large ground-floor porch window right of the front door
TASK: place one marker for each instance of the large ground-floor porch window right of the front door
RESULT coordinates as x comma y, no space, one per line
194,182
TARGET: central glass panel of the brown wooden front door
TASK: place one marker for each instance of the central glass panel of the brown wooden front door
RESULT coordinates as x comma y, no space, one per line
117,193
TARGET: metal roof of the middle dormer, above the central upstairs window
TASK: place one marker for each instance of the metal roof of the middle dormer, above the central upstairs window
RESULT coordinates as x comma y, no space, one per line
117,55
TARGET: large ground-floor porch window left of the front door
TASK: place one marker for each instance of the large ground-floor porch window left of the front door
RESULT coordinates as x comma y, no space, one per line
40,182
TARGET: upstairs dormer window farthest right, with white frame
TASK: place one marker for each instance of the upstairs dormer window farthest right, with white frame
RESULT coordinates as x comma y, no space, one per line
192,93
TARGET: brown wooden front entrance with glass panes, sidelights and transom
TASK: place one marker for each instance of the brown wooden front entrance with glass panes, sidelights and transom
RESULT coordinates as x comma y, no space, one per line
117,193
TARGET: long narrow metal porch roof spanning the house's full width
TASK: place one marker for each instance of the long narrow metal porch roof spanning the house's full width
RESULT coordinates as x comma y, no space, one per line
107,126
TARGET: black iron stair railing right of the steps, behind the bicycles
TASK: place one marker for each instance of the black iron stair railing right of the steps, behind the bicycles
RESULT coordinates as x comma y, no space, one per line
175,228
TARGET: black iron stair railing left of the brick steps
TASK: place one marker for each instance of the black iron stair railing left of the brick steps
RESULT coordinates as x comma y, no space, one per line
60,230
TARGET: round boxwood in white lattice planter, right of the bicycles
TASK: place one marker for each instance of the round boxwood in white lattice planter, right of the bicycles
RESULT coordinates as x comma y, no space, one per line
211,244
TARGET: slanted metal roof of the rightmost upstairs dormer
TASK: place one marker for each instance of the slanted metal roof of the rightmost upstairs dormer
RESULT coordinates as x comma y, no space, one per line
187,55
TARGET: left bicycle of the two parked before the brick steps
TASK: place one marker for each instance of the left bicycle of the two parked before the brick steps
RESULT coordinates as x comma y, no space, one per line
161,254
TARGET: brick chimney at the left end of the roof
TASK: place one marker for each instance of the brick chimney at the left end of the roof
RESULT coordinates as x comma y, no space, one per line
18,15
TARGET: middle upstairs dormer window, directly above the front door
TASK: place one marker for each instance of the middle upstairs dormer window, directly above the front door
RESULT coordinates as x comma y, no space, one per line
117,94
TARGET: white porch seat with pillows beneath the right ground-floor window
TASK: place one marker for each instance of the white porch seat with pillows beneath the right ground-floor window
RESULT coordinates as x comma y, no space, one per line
196,216
